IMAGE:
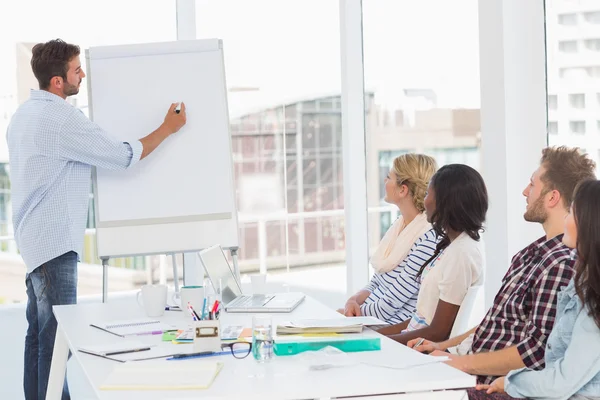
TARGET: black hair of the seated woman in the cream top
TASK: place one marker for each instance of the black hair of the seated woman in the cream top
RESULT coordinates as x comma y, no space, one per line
461,202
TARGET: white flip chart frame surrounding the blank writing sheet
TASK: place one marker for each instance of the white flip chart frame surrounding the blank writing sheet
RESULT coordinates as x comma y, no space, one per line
204,229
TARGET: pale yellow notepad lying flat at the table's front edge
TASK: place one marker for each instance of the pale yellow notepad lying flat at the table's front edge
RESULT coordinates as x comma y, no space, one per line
162,376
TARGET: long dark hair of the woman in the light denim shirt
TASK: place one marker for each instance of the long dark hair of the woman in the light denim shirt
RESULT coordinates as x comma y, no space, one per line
587,267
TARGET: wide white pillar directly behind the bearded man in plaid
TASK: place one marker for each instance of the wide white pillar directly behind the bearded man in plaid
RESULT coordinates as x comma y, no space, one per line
513,123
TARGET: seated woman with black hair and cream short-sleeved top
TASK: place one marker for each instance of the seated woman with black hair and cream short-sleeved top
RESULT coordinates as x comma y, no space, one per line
456,204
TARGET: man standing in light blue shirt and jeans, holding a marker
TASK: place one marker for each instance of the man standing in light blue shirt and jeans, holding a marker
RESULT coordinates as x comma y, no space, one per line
52,149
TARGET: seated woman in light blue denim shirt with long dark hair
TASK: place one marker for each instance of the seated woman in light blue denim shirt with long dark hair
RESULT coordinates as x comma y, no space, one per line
573,348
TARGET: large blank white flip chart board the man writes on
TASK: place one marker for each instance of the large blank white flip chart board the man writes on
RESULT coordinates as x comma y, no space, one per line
181,197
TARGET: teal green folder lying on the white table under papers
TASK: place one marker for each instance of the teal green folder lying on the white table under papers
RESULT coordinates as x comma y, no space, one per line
291,347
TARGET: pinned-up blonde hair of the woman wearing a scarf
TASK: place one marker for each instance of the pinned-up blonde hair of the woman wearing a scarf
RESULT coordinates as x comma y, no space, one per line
414,171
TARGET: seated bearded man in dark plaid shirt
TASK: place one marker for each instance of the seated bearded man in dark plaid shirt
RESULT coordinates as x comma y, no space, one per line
513,333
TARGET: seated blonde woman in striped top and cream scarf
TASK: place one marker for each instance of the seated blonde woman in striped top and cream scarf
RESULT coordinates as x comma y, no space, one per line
391,295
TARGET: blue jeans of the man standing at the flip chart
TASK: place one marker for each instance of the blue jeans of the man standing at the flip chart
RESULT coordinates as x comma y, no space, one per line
53,283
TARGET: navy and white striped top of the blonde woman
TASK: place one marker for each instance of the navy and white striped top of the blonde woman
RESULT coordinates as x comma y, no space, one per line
394,294
